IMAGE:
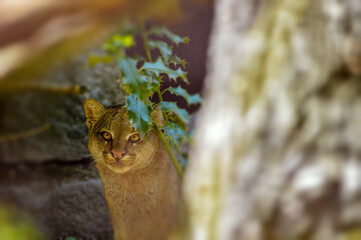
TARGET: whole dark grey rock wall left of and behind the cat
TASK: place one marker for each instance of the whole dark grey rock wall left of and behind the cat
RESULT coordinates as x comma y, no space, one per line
50,175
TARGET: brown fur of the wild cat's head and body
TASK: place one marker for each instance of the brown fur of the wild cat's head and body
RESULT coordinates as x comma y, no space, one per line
143,190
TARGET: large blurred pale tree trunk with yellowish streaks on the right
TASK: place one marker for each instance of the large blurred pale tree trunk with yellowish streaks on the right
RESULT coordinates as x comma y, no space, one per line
277,153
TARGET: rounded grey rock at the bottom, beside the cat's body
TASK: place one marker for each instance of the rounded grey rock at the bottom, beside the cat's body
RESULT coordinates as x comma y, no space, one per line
78,210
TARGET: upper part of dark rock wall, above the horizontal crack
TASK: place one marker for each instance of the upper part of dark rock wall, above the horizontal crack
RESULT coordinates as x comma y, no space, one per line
67,137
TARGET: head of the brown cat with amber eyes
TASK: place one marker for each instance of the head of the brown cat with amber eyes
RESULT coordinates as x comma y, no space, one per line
113,142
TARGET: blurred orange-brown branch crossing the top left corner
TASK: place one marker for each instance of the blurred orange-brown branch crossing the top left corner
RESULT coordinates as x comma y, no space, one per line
34,33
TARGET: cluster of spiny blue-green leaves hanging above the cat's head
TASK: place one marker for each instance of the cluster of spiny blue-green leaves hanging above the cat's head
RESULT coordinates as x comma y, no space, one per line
143,78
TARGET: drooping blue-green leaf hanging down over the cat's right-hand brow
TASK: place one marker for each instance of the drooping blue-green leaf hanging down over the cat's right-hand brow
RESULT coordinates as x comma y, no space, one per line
139,115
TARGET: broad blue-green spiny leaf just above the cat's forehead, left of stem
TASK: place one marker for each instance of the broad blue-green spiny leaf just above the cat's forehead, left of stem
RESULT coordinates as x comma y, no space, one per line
134,81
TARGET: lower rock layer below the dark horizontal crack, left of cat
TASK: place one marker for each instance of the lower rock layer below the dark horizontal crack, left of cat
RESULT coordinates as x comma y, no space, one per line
64,199
